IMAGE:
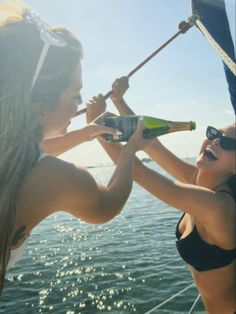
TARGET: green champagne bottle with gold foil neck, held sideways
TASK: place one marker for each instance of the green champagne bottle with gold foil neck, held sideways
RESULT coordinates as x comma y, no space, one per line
153,127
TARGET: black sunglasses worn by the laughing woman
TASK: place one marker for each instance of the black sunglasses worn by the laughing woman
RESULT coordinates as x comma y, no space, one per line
226,143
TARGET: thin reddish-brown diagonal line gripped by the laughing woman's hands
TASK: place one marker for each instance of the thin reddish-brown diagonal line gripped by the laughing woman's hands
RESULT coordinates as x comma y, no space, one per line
184,26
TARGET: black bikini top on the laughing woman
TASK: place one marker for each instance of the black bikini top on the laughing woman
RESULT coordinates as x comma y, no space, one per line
200,254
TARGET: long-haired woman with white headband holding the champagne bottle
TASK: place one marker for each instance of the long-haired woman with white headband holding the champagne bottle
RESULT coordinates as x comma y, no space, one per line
40,83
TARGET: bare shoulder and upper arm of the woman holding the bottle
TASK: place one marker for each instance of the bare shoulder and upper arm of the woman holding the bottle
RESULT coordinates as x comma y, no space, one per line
55,185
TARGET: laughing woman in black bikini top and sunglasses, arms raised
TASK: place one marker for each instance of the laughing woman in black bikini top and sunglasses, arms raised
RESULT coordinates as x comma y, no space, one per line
206,195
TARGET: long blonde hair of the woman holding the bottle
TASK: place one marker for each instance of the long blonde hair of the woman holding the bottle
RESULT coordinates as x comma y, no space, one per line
21,110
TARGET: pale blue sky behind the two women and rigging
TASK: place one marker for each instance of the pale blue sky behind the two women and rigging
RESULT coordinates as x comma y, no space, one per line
184,82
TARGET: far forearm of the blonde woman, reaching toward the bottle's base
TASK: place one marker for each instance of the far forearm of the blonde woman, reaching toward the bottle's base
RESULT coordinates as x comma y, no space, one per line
59,145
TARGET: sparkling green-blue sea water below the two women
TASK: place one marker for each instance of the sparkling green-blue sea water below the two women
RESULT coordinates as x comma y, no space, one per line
128,265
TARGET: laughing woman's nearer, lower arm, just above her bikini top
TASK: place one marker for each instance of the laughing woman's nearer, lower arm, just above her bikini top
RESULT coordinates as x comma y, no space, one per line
188,198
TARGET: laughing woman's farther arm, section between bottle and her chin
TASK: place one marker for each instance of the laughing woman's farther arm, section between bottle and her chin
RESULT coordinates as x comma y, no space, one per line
176,167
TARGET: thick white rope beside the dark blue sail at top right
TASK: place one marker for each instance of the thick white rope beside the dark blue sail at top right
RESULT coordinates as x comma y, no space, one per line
223,55
